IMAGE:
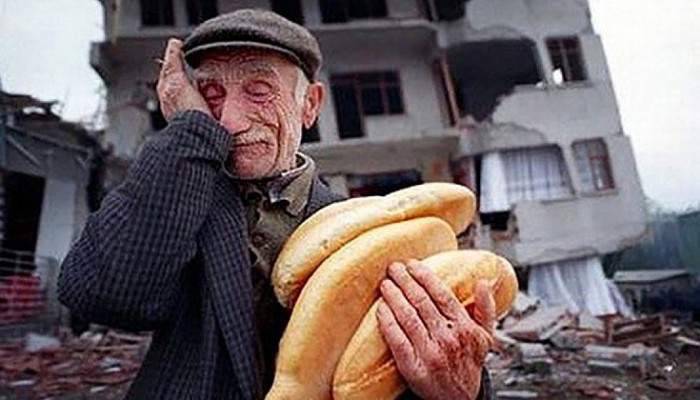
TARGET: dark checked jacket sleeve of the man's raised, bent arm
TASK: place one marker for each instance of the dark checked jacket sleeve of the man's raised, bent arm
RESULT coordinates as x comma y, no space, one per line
125,269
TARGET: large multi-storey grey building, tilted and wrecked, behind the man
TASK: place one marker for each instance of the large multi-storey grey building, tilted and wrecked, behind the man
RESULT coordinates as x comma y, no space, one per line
512,98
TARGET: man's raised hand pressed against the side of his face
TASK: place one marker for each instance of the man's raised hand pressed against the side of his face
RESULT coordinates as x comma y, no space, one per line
175,91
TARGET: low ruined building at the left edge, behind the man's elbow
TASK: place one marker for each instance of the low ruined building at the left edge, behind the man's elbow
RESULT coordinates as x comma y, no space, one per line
45,171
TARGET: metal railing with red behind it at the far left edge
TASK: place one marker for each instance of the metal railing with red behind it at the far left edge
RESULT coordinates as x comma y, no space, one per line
27,289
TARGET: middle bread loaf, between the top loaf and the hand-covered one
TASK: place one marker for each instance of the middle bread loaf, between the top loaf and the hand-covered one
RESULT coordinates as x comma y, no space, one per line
336,298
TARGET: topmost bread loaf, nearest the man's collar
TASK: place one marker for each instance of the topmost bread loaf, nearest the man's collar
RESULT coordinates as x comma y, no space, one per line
327,231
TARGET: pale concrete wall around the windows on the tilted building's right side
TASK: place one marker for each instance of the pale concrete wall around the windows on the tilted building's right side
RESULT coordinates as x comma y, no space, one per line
551,112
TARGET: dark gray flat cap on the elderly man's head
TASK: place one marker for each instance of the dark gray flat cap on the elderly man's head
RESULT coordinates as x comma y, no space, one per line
256,28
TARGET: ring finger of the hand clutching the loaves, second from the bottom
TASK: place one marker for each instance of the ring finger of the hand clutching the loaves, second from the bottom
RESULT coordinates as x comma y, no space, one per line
406,316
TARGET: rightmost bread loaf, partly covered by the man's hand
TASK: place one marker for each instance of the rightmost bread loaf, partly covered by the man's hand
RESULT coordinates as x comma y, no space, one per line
367,370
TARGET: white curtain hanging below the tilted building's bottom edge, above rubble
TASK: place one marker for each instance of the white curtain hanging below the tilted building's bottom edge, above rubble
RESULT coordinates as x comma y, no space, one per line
578,284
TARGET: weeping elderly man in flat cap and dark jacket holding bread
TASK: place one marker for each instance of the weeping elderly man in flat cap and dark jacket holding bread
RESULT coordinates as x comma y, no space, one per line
184,246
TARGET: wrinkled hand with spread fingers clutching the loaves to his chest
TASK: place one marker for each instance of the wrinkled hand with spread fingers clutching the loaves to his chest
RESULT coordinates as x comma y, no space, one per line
438,348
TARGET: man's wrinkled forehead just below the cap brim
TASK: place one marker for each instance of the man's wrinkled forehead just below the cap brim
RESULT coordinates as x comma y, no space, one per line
234,64
